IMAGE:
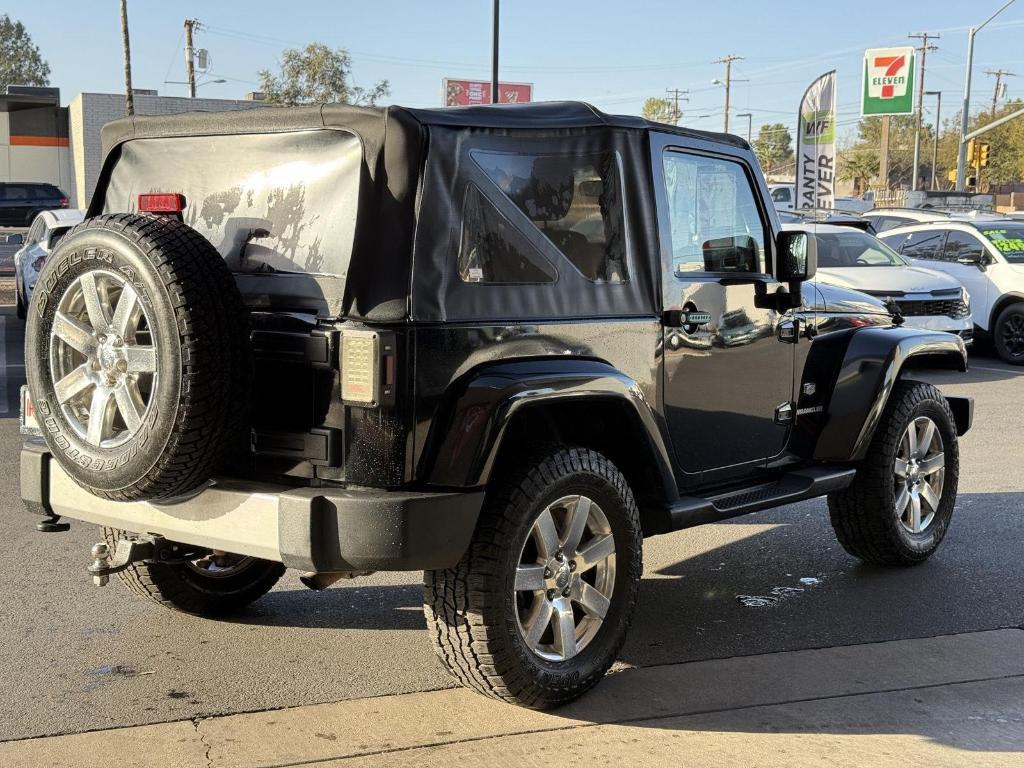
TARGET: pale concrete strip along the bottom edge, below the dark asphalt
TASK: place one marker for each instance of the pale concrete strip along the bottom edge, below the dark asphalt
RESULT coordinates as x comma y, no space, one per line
948,701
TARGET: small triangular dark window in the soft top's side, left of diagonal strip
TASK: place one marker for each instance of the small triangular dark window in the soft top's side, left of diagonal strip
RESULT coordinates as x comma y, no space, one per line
493,250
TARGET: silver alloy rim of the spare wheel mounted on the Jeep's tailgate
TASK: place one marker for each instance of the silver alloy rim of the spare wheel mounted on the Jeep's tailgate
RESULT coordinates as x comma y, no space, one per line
103,359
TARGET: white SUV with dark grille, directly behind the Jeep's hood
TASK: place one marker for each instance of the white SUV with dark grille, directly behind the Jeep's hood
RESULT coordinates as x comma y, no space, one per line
927,300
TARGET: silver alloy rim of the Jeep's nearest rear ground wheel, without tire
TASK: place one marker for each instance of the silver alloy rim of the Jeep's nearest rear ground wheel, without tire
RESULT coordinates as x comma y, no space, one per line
566,577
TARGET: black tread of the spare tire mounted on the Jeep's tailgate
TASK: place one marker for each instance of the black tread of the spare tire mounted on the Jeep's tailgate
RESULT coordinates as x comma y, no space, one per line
217,369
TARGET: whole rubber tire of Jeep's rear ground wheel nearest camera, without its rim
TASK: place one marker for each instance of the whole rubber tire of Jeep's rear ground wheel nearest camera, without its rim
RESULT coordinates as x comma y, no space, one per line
472,609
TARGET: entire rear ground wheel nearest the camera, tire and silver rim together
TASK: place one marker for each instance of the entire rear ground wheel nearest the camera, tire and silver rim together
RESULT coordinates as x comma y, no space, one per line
538,609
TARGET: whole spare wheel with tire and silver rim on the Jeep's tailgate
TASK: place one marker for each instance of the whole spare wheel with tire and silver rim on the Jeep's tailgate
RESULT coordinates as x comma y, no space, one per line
137,356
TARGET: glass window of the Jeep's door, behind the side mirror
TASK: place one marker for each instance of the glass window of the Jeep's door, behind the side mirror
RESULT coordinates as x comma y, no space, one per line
713,216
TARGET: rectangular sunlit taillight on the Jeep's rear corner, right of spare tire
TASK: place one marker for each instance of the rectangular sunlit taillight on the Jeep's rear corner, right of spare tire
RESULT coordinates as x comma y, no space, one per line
368,368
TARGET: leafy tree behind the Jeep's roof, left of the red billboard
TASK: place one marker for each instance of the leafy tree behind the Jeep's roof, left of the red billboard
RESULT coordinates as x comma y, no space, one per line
318,74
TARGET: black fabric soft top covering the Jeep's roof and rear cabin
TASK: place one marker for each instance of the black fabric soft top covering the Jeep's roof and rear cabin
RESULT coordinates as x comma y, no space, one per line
399,264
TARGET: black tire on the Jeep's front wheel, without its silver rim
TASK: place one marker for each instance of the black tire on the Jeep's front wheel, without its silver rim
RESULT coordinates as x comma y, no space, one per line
860,514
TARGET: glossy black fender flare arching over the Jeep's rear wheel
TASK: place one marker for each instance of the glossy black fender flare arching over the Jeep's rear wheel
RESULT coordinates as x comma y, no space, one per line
467,434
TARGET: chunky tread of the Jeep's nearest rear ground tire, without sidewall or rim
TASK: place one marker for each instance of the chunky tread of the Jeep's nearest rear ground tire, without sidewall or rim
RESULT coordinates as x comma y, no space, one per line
466,625
